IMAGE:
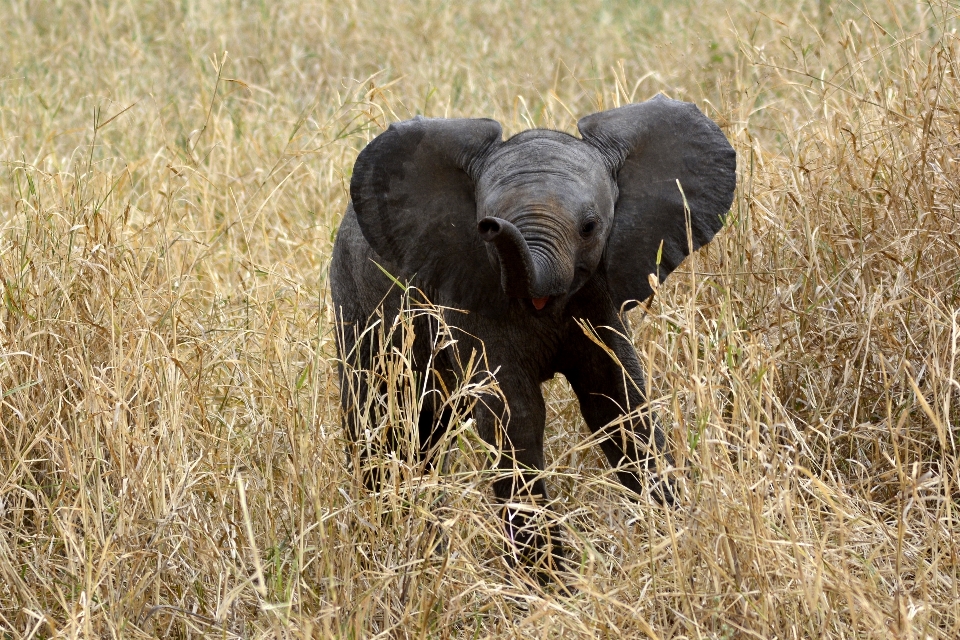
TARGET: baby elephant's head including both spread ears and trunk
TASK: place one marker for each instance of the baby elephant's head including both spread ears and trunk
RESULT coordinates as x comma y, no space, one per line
480,221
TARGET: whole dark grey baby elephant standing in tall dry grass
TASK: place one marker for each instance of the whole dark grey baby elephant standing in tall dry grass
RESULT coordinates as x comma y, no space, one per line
498,228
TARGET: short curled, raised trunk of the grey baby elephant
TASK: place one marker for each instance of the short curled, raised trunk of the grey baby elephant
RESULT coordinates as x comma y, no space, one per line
519,275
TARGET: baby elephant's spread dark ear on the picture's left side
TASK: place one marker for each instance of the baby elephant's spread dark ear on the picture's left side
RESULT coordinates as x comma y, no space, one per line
414,195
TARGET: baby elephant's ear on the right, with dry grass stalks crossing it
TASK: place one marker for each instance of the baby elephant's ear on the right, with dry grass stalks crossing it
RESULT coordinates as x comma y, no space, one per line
650,146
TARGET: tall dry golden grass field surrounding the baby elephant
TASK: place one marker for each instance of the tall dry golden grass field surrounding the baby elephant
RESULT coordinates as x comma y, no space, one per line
171,462
